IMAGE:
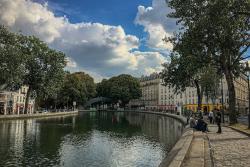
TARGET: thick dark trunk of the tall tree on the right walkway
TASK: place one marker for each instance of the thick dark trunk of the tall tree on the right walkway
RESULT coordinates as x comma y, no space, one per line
231,90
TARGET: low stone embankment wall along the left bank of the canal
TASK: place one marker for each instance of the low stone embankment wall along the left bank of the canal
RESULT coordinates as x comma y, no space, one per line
37,115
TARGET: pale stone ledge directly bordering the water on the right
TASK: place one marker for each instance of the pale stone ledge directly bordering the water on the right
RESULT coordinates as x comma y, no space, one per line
178,153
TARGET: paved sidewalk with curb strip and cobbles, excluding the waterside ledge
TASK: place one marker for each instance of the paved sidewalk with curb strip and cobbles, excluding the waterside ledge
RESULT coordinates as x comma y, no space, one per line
228,149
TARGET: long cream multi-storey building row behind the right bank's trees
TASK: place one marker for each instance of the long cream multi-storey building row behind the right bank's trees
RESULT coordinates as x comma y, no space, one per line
157,96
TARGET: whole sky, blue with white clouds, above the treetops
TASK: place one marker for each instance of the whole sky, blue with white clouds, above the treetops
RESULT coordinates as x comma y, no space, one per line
101,38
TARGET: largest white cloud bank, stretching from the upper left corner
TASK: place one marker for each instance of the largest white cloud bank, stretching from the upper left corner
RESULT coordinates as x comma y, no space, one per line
103,50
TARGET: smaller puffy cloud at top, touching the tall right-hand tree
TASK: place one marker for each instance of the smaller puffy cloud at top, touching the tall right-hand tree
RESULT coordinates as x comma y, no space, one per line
156,24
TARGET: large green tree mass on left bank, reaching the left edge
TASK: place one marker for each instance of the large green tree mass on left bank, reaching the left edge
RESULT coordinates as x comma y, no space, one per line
29,61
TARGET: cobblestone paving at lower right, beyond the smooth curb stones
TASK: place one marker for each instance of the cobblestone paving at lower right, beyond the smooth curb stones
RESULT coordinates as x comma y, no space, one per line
229,149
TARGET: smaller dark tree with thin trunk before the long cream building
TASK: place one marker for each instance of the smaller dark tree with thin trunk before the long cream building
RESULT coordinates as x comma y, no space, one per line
185,71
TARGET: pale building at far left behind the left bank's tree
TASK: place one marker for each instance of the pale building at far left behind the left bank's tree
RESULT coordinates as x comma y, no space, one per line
13,102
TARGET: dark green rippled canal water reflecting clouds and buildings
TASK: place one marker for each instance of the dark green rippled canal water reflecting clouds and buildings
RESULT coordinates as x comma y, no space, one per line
91,139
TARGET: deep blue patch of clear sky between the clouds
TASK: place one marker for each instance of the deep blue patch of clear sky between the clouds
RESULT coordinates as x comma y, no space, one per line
110,12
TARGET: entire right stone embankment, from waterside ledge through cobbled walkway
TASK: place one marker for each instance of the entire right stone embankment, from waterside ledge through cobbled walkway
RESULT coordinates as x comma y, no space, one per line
197,149
